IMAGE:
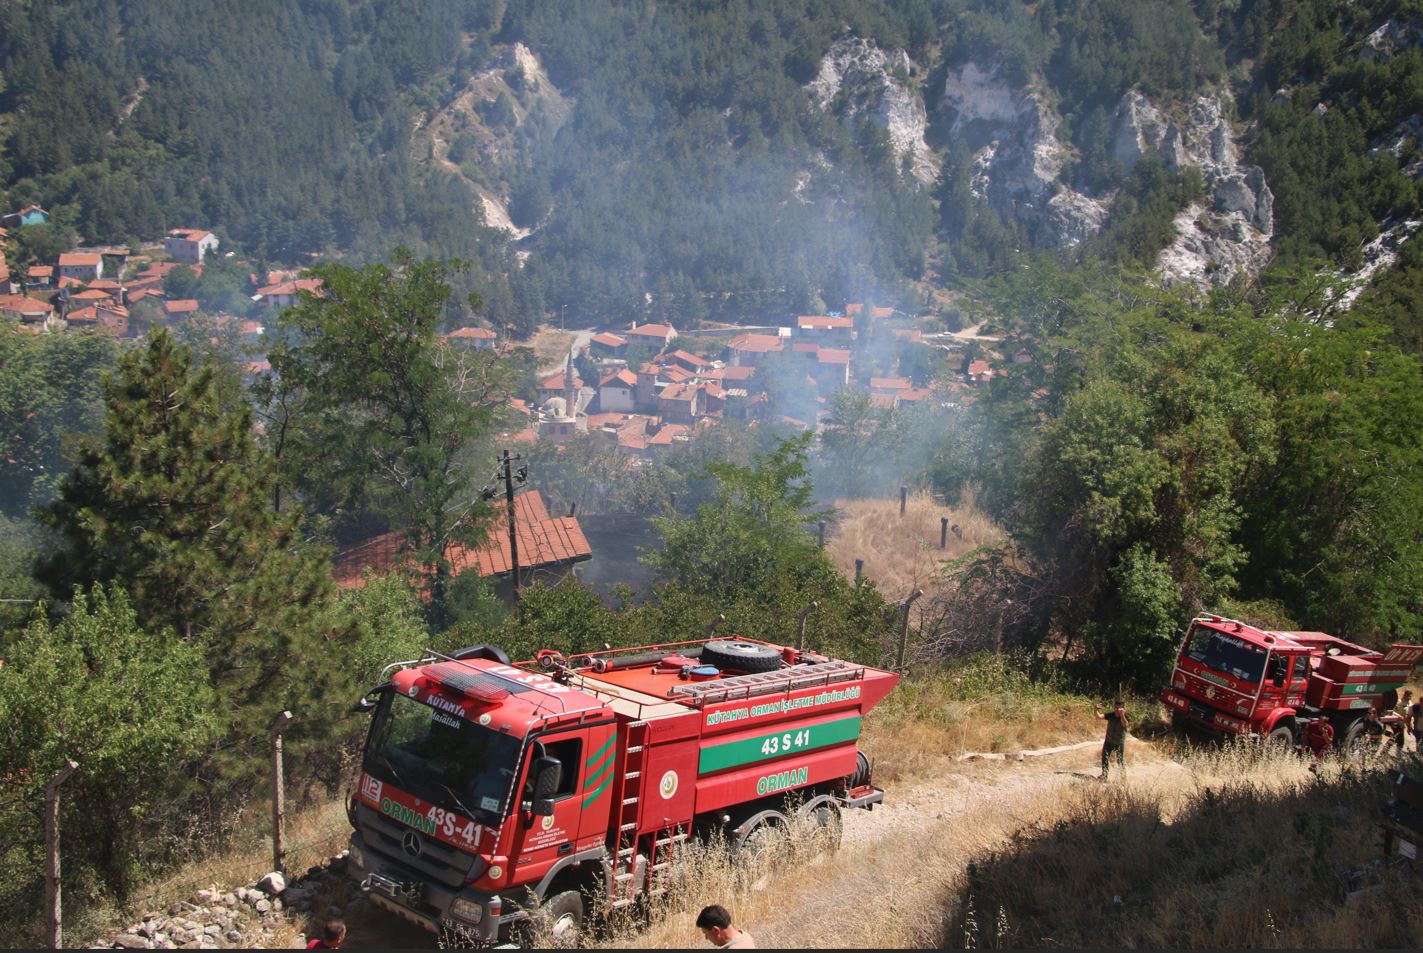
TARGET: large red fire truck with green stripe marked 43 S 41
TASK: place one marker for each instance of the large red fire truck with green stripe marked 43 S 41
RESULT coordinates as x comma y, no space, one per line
494,793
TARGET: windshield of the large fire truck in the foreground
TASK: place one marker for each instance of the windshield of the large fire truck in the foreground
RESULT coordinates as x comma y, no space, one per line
442,759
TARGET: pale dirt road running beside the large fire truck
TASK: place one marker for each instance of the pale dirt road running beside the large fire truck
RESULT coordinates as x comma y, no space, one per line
892,881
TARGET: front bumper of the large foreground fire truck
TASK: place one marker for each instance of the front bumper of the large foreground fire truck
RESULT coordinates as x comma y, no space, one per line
402,891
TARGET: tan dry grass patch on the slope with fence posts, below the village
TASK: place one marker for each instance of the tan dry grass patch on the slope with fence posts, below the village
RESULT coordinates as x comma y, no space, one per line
903,553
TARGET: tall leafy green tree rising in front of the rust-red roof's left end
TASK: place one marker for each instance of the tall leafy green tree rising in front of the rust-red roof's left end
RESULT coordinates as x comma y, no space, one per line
379,413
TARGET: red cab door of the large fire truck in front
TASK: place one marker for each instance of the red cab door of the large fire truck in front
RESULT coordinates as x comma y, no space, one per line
541,841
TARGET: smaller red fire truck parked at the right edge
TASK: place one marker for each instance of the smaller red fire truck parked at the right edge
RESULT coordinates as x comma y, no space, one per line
1233,679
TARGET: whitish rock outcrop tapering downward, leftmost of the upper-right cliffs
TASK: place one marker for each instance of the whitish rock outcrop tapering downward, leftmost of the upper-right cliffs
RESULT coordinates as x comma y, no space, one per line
859,82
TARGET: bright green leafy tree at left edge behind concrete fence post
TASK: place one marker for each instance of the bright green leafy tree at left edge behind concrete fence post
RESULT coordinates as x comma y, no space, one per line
134,710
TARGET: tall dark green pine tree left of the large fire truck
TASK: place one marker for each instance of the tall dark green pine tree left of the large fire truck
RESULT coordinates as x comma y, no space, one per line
173,504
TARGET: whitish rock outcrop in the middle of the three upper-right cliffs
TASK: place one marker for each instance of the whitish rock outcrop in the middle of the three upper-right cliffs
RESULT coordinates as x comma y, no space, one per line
1020,159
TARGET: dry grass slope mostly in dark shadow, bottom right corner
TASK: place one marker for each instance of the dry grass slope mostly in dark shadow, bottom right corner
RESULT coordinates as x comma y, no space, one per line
1237,848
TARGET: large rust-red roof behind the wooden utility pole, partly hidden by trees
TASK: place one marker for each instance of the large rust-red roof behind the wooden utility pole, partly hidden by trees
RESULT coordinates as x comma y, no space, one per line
544,541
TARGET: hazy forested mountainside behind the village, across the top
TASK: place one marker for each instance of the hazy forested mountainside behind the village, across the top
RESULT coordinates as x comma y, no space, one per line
694,173
